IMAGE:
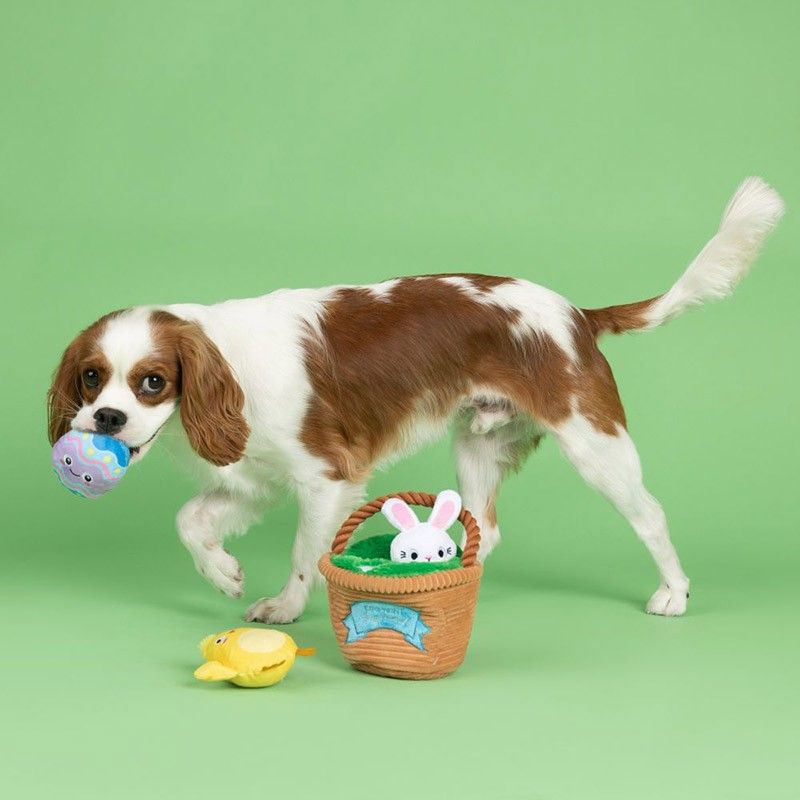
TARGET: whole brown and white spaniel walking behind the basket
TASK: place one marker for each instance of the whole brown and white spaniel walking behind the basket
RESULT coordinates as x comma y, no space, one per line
311,389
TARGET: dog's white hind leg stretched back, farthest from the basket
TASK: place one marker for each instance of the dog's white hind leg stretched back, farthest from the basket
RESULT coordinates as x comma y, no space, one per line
610,463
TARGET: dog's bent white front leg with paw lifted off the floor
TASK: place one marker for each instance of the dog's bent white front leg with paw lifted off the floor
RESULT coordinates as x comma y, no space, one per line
204,522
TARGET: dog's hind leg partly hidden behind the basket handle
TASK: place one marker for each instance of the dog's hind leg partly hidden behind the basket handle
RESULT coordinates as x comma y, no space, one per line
482,461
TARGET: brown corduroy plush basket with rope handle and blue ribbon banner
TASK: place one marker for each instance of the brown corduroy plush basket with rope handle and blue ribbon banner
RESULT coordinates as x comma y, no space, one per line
415,626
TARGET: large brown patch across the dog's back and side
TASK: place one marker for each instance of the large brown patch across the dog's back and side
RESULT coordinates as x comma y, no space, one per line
421,348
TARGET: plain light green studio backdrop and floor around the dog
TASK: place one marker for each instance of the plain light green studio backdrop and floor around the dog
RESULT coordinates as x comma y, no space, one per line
158,152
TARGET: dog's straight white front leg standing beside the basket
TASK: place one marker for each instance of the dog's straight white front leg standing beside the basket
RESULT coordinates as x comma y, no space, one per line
324,505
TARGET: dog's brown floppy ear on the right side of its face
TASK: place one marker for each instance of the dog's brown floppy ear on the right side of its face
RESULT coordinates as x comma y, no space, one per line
211,399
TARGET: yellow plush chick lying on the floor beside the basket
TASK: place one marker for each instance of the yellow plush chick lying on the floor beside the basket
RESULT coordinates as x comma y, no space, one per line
250,657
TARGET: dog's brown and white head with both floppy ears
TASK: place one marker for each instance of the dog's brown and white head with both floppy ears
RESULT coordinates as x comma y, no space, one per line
126,374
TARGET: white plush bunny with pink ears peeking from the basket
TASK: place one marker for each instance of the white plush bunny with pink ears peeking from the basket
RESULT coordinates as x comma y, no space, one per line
423,541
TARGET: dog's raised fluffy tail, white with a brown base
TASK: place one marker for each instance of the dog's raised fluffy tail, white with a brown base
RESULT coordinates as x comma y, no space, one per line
753,211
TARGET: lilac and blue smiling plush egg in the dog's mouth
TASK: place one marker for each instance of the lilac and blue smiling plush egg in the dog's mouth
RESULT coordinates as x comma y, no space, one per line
89,464
